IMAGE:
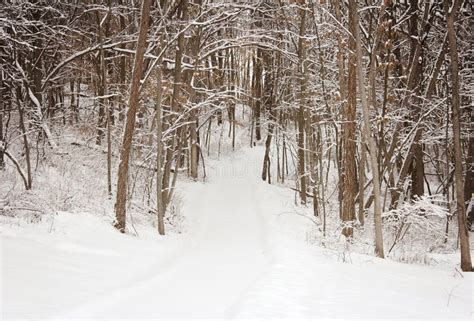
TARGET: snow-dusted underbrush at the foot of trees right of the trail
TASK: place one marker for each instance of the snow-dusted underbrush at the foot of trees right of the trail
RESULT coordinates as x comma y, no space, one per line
417,232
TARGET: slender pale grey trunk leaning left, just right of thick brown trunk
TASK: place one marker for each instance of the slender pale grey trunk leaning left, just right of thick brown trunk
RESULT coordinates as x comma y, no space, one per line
369,137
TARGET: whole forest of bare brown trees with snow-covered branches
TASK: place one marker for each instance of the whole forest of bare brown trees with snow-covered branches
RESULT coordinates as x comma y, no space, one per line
368,103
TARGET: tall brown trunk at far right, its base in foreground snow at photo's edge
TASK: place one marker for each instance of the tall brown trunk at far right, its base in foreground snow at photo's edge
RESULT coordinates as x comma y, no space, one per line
466,264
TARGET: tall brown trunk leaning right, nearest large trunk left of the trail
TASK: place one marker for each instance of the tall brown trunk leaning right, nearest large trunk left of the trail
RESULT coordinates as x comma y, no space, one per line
122,182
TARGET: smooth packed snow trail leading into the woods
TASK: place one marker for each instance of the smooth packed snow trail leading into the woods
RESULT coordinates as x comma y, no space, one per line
226,252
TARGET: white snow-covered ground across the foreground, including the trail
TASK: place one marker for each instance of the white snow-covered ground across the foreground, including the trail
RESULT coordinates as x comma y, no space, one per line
243,254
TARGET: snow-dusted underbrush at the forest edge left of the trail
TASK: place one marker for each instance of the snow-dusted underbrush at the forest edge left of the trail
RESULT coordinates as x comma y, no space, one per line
74,179
